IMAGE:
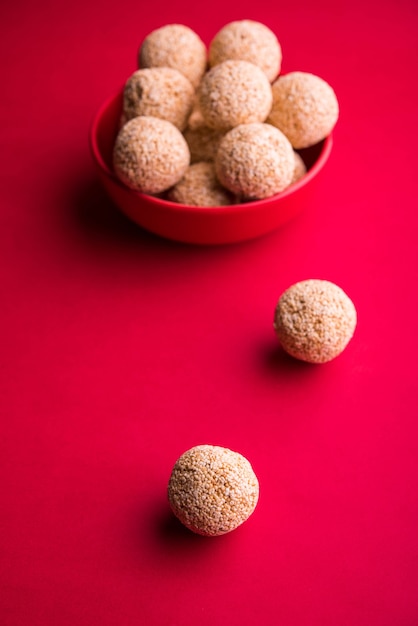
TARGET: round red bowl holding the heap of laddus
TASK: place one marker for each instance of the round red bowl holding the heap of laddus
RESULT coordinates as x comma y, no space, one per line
200,225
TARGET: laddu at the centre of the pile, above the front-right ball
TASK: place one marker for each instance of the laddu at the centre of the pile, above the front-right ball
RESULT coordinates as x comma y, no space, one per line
234,92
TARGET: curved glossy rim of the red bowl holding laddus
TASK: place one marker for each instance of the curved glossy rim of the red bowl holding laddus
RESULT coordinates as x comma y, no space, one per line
177,207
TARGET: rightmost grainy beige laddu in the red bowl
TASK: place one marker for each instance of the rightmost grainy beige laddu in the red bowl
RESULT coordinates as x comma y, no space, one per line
305,108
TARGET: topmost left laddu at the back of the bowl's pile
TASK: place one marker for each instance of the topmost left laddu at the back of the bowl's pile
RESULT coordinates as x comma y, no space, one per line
176,46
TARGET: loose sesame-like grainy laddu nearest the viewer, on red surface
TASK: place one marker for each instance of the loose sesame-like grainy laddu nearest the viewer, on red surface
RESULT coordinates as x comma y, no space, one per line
212,490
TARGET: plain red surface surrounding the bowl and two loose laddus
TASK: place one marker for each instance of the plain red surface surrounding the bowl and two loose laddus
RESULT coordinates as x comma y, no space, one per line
121,350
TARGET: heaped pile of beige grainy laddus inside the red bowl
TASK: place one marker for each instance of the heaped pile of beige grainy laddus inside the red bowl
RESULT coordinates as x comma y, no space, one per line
218,125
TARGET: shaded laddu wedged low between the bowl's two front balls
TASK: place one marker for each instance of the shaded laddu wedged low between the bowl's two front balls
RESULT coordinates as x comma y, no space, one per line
200,187
